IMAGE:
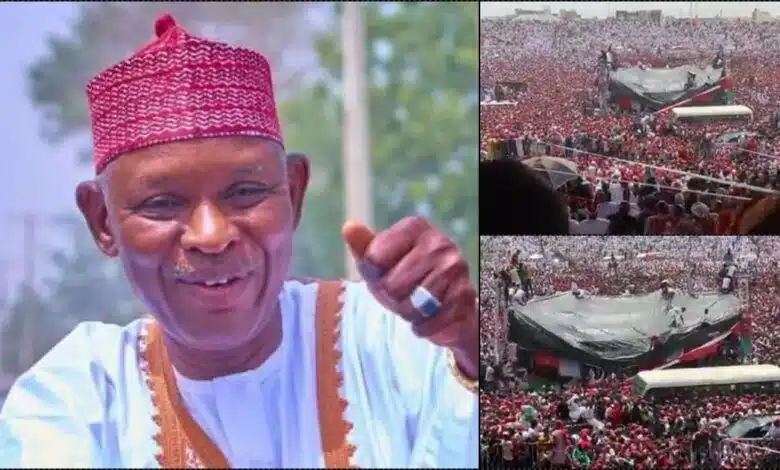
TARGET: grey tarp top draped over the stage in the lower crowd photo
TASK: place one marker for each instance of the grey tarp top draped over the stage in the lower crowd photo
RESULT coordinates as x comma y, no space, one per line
620,328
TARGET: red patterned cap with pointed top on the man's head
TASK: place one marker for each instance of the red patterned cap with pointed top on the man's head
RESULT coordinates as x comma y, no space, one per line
176,88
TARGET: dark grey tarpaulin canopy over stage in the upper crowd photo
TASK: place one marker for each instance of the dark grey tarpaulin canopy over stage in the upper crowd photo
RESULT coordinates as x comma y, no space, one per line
658,88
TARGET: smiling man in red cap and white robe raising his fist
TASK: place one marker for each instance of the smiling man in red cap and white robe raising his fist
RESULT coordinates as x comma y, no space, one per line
240,366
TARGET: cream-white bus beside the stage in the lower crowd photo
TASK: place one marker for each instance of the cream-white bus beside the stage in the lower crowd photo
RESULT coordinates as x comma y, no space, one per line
659,383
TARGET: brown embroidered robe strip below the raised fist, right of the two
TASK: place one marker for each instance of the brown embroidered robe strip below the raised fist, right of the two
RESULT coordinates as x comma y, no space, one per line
334,428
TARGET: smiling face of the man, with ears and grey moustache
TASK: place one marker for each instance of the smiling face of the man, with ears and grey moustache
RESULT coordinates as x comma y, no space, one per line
203,229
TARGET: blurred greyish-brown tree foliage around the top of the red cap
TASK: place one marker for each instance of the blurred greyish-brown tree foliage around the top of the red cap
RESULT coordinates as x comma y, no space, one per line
106,32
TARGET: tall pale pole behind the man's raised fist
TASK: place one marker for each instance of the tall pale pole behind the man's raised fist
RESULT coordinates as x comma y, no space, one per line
355,153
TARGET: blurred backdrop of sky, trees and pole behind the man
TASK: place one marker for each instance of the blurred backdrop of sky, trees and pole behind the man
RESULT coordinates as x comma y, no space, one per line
382,96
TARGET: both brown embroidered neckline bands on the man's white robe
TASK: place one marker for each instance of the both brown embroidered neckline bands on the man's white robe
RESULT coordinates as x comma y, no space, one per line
180,441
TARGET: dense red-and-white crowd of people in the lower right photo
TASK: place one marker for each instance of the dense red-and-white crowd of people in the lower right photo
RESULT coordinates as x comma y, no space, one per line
523,429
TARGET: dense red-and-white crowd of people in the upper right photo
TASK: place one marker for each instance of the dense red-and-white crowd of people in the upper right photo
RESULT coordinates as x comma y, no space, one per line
556,62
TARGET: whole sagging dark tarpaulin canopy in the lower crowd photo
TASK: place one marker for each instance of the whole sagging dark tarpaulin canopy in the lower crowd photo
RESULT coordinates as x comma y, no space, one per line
618,332
